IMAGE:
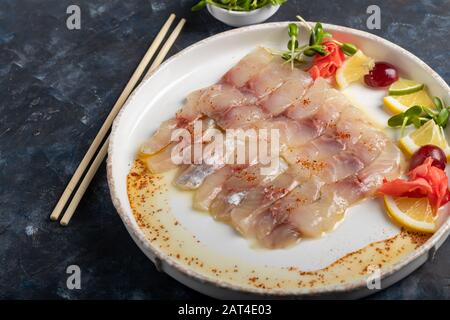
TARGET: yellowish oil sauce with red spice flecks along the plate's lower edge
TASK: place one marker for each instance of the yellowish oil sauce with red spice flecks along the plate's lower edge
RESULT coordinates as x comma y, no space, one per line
149,196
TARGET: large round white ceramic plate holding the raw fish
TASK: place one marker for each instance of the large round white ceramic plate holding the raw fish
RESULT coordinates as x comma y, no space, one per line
231,266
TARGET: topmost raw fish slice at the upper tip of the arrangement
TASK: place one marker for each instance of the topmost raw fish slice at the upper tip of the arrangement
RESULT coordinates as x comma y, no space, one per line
248,67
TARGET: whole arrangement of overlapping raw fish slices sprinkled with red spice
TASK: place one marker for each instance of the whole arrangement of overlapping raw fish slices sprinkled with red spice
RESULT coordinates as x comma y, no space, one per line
330,155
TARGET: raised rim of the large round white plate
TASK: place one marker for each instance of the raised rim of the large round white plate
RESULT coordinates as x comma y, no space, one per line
432,244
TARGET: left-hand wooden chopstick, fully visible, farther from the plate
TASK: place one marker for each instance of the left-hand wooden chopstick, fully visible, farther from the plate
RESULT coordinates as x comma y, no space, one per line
108,122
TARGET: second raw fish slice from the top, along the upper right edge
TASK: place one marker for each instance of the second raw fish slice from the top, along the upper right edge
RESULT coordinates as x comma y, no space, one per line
272,76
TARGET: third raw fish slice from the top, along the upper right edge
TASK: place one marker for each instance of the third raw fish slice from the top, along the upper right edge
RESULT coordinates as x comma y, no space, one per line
286,95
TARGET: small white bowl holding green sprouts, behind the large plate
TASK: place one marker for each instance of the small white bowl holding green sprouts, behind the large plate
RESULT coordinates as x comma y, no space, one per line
242,18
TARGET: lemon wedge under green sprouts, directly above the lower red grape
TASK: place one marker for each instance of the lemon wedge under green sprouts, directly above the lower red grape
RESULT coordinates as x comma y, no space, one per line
429,133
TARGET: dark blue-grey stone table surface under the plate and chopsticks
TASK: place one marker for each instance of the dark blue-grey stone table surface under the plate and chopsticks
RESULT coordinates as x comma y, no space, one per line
57,87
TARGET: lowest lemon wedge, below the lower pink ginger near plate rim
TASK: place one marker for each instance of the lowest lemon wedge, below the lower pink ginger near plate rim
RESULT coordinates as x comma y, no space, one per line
413,213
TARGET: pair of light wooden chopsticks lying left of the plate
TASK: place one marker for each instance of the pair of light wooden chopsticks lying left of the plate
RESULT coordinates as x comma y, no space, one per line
92,151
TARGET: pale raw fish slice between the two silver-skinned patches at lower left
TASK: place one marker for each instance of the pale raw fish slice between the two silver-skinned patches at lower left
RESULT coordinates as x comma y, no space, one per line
210,188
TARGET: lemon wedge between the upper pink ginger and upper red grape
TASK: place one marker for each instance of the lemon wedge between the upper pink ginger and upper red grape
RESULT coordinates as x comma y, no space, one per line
353,69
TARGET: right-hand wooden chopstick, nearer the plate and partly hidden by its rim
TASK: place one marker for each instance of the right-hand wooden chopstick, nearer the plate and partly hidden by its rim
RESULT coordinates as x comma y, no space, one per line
103,151
